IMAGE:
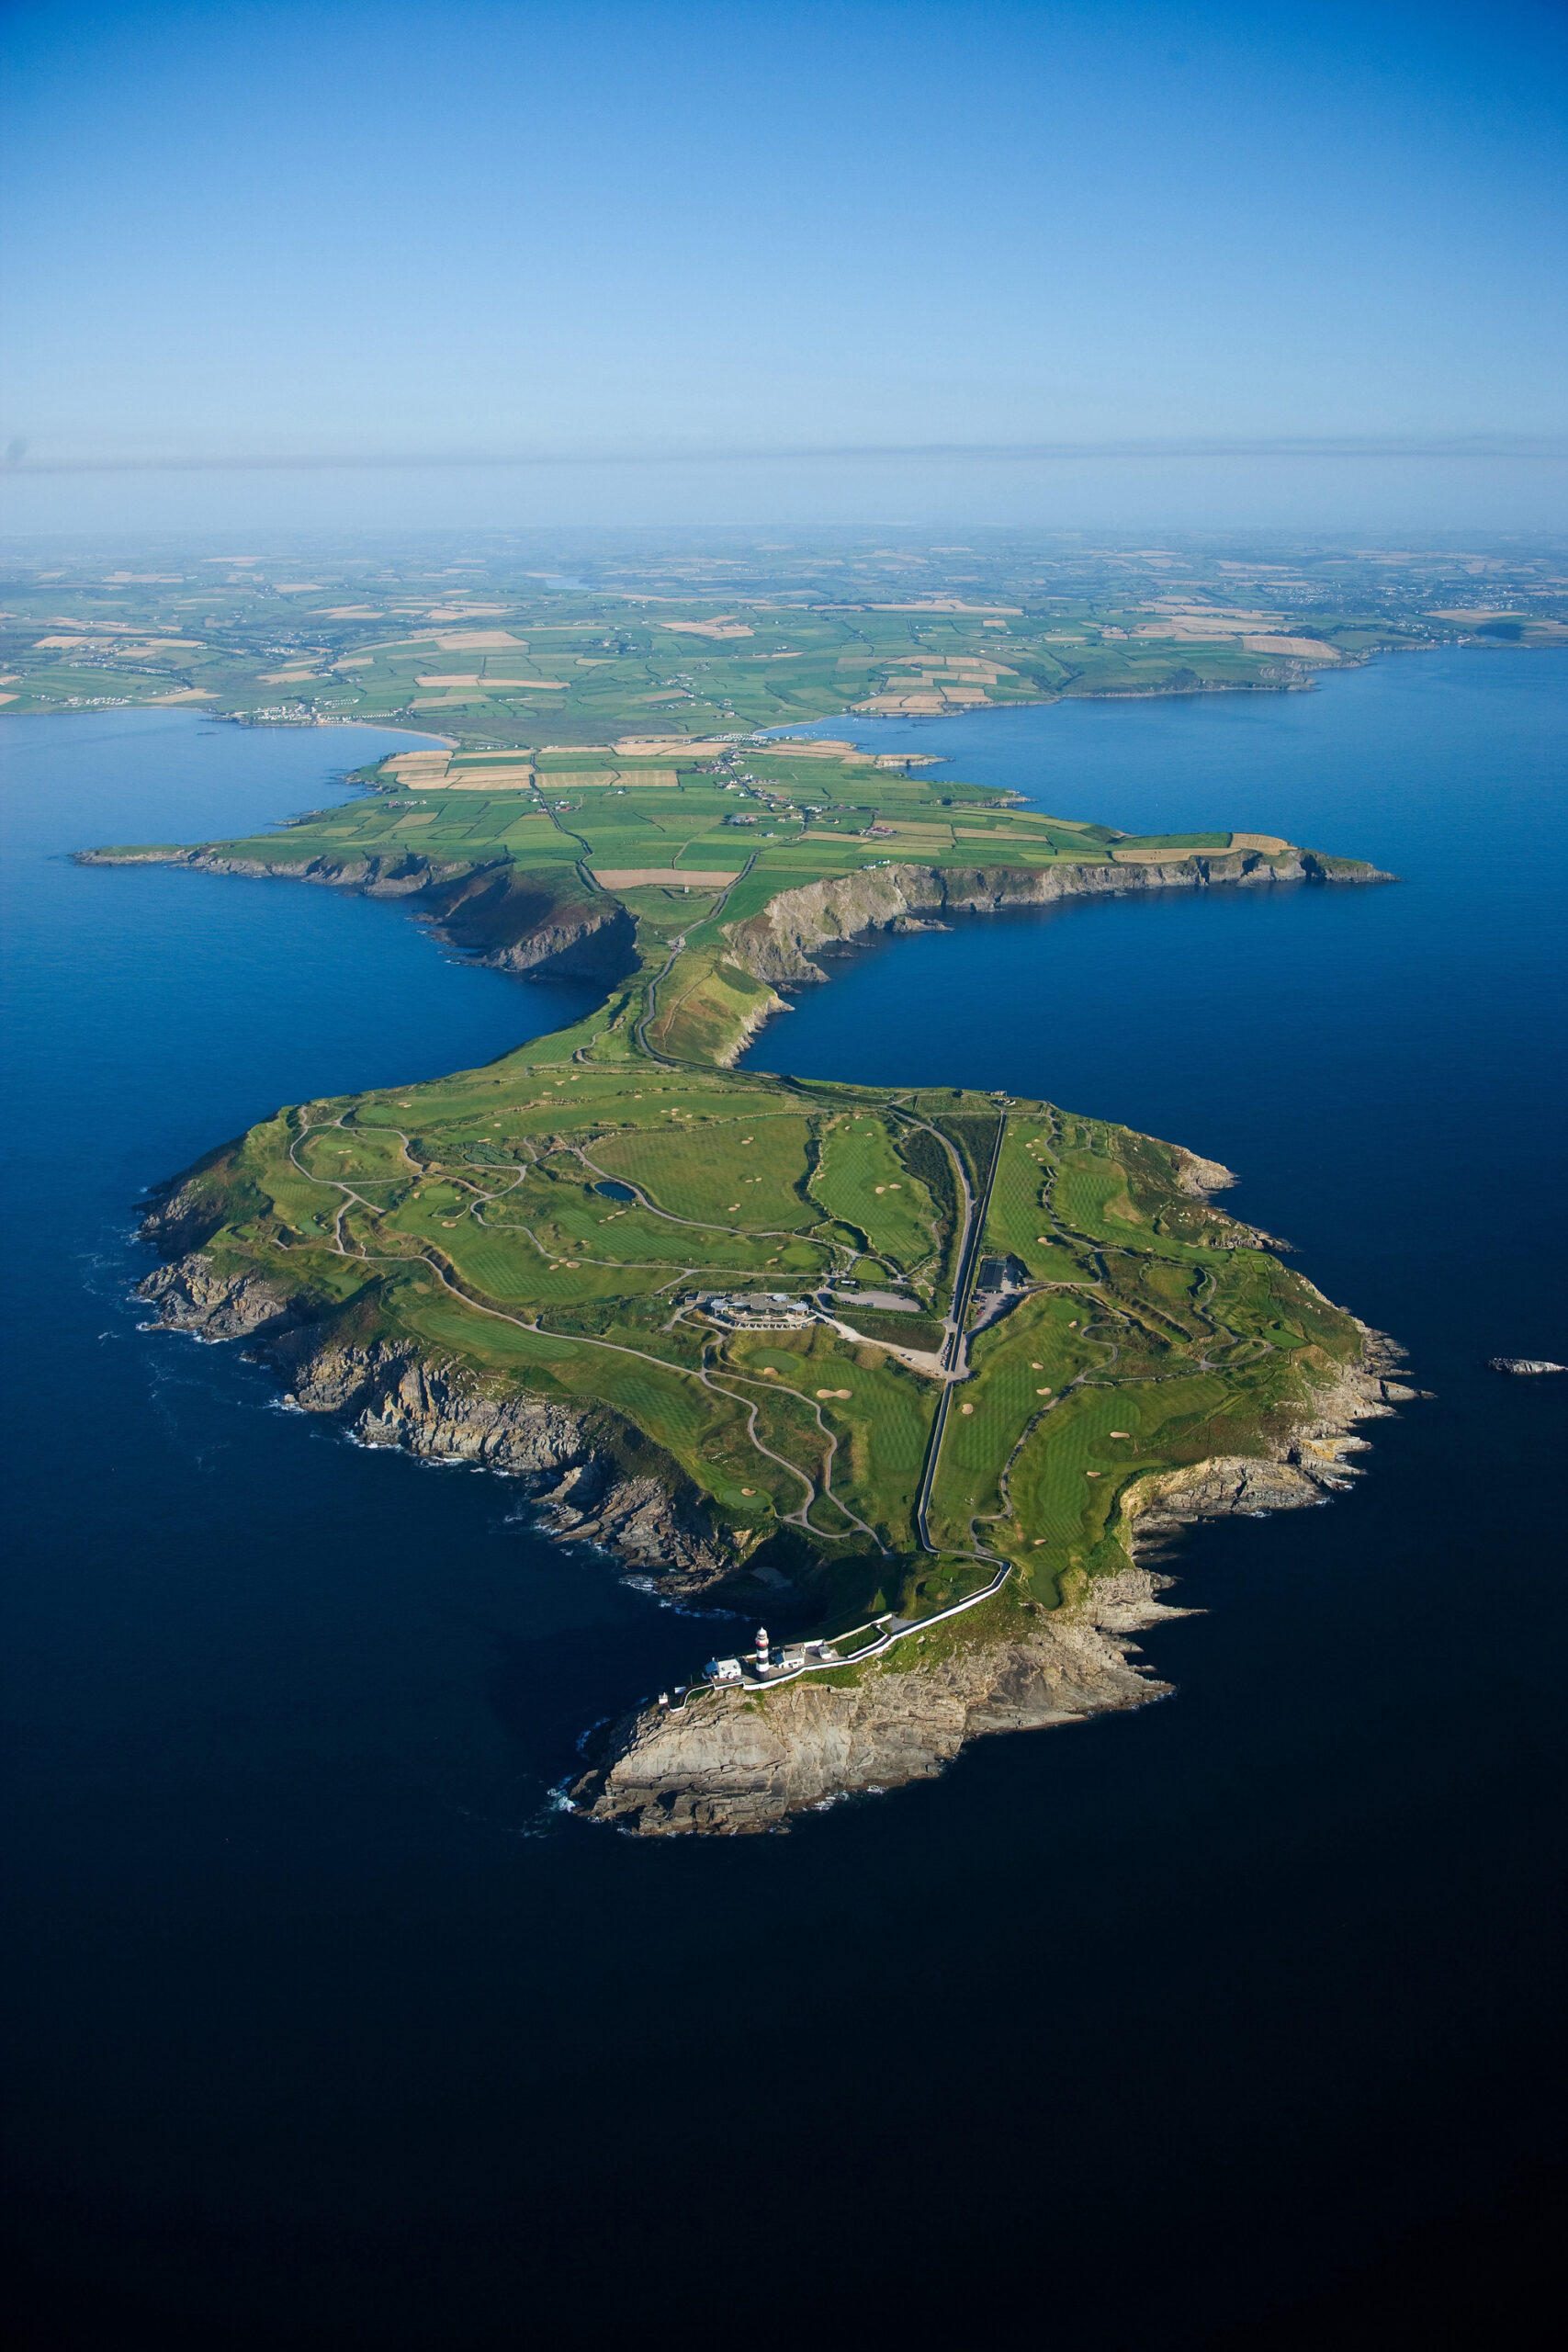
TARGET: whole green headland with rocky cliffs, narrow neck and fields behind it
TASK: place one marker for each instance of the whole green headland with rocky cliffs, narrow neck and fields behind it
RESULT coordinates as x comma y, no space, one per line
920,1377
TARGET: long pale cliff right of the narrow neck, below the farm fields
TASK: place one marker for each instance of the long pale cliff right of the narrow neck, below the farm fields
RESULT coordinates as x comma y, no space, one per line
796,926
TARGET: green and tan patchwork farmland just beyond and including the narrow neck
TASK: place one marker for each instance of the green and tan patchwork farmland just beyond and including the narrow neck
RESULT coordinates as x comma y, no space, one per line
690,843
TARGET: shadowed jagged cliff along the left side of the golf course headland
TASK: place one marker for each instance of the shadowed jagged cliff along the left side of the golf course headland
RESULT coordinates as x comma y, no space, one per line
389,1394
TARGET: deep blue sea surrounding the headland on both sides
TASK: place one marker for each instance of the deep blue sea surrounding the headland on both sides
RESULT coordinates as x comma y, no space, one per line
1200,2026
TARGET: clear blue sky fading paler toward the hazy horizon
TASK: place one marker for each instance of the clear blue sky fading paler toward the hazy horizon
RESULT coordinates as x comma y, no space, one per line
650,262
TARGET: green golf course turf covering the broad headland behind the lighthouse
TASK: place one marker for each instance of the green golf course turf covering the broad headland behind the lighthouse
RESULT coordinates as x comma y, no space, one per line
488,1217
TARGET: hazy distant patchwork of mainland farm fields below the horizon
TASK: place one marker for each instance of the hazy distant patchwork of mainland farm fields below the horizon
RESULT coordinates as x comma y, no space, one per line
641,650
